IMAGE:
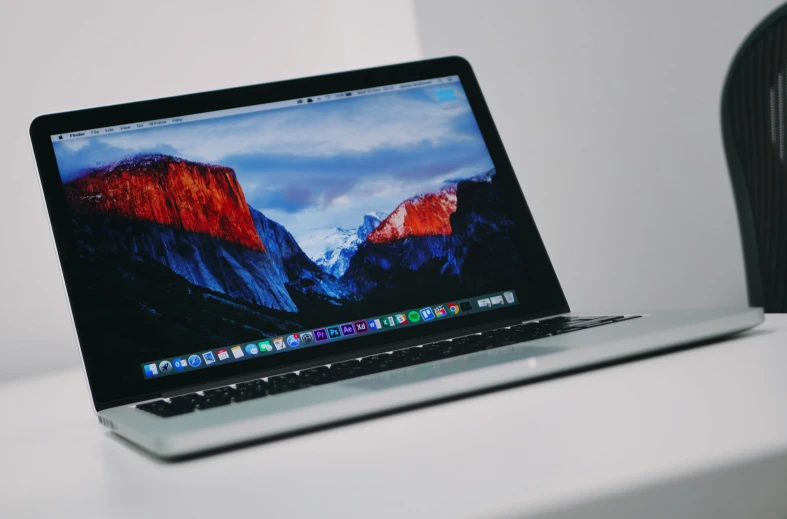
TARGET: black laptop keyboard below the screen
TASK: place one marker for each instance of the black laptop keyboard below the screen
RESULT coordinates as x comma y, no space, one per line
260,388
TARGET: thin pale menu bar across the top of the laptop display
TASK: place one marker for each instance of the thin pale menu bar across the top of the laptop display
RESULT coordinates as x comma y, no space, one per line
303,101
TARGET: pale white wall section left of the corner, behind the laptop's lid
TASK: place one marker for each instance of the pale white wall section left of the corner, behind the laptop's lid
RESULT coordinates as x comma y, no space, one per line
61,55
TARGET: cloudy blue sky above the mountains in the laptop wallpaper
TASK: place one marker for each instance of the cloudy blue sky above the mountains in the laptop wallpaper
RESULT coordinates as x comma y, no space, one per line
318,165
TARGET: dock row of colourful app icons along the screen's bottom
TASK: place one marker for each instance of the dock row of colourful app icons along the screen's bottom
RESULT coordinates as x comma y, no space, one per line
324,335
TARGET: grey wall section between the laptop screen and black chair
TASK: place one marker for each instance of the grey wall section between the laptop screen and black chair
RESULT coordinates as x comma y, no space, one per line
609,110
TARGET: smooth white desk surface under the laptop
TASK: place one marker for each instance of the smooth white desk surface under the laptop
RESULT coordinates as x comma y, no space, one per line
702,433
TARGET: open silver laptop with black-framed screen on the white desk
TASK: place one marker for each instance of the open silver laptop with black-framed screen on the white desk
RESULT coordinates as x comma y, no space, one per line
252,263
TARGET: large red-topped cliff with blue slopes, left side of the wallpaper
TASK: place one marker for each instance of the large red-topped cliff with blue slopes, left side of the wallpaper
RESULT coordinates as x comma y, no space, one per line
193,218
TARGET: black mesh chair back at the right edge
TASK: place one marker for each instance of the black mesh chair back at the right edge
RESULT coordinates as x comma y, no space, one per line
754,128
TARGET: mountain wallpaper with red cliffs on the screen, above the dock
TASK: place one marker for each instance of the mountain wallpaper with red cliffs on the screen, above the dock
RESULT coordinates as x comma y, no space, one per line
236,228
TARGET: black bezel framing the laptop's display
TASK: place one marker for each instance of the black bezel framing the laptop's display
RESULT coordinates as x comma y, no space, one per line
43,127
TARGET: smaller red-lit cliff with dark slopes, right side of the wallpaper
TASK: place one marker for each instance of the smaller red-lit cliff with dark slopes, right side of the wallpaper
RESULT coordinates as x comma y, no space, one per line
446,239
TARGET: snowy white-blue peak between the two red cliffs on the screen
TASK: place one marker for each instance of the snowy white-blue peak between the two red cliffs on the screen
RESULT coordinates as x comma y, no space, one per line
333,248
